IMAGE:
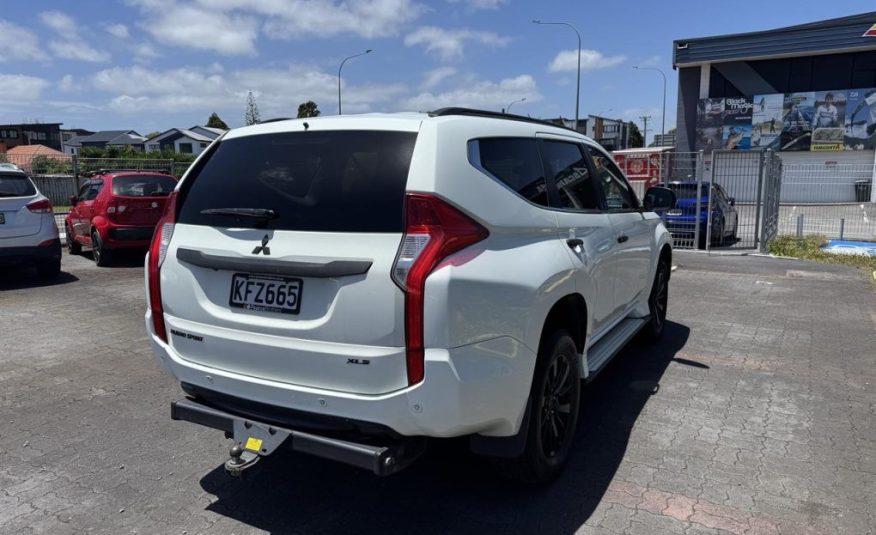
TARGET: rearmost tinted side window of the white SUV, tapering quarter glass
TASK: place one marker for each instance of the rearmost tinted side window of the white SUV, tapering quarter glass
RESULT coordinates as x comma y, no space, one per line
516,163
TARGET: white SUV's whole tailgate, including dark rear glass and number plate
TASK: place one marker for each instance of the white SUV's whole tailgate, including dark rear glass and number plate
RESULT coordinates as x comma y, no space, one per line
305,297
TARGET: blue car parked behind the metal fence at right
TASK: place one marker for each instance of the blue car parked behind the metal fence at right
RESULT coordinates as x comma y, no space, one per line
682,219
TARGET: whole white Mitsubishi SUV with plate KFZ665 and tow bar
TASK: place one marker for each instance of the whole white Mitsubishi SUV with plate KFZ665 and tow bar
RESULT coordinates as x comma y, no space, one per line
348,286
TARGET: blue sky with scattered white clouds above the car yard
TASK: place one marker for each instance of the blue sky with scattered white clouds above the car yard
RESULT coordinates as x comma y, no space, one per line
151,65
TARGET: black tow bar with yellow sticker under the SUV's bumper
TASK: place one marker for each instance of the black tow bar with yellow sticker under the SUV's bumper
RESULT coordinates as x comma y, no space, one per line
254,440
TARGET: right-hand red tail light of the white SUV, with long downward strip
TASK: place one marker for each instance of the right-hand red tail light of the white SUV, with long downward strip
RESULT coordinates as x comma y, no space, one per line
434,230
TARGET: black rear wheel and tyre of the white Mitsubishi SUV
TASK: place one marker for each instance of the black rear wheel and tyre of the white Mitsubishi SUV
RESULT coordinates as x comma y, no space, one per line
555,398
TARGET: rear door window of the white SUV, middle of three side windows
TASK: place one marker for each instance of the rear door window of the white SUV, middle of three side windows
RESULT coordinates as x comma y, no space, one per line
571,175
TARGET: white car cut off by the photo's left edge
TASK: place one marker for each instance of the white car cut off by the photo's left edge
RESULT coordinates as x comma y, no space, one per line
28,232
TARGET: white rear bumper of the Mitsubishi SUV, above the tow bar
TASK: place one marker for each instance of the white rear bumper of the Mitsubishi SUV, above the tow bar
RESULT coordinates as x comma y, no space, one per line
477,389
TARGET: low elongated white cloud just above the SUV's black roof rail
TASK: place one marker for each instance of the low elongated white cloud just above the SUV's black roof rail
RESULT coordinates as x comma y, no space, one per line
478,94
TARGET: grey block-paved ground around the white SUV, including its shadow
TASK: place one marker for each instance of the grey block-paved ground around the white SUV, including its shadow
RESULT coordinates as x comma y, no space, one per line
757,414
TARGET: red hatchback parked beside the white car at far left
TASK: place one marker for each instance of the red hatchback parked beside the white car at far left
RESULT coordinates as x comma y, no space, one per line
116,210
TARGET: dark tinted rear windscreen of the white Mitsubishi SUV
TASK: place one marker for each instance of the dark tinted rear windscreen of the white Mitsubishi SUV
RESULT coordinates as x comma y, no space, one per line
336,181
